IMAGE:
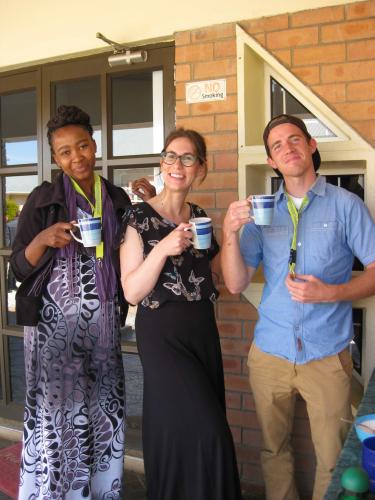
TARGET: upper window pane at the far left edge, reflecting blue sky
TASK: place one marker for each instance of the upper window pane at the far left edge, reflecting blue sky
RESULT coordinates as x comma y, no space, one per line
18,136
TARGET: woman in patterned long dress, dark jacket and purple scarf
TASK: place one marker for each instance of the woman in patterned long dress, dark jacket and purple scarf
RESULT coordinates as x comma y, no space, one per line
73,445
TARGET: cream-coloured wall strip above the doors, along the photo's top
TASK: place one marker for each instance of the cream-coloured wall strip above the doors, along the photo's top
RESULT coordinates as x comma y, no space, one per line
33,30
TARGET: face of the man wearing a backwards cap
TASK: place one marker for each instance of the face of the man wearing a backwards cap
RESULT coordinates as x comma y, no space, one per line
291,151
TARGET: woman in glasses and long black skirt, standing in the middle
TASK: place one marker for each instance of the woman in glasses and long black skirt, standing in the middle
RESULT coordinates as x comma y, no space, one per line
188,446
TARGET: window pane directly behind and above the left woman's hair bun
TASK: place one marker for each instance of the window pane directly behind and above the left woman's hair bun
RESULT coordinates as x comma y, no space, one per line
85,94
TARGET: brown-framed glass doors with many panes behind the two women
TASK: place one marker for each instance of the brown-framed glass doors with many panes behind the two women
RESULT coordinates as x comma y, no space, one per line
132,110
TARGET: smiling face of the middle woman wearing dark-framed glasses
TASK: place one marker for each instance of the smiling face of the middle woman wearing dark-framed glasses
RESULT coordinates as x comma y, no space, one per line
177,176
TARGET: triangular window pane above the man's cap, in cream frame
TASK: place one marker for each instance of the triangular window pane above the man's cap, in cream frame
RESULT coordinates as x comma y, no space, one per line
282,101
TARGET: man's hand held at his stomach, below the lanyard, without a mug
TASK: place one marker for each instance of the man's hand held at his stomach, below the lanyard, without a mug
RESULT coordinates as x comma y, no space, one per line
309,289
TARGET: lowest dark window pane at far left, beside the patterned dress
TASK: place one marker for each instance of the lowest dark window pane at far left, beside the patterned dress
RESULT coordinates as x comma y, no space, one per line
17,369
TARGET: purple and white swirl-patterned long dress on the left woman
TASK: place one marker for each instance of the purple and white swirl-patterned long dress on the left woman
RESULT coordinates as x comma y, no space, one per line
74,416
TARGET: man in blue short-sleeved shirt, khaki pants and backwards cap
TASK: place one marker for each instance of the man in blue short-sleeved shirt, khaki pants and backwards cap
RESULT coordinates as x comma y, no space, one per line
305,317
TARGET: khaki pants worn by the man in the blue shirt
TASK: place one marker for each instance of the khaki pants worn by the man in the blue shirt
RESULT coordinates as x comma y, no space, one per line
325,386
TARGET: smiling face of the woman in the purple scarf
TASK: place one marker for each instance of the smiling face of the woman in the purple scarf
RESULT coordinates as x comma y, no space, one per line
74,152
